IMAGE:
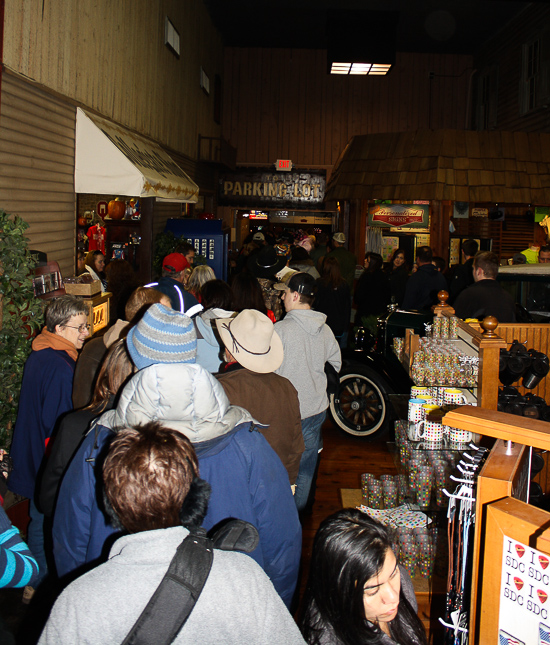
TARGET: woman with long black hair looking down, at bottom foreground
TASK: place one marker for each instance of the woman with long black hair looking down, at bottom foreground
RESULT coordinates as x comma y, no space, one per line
357,594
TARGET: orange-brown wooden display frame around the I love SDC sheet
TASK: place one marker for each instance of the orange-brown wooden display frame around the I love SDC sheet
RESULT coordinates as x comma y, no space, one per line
502,480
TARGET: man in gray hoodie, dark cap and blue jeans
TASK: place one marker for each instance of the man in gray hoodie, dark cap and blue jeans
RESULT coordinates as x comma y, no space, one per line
308,344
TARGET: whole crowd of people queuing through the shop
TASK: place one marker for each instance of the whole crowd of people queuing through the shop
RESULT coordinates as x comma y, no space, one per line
203,402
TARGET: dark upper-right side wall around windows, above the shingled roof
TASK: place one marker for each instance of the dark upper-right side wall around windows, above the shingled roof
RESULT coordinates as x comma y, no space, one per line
503,54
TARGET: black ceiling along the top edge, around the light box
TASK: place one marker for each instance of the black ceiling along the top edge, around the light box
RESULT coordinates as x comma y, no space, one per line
445,26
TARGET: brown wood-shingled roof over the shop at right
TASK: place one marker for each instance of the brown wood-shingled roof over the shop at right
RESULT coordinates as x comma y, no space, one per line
456,165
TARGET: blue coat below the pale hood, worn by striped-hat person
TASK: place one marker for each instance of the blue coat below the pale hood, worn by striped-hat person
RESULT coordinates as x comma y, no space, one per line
248,481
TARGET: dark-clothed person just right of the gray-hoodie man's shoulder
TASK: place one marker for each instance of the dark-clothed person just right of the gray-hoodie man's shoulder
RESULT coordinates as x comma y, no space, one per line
333,298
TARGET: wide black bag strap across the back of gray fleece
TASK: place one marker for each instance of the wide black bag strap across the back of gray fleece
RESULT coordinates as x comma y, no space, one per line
176,595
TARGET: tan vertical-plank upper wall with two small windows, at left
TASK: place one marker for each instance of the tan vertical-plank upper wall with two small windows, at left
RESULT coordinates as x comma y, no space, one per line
111,57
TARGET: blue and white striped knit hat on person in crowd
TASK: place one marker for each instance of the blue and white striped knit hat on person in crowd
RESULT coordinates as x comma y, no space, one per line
162,336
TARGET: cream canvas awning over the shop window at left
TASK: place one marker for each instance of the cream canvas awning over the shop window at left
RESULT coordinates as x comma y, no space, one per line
112,160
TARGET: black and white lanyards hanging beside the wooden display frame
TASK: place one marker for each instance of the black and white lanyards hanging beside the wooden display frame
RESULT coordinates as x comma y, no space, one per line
461,516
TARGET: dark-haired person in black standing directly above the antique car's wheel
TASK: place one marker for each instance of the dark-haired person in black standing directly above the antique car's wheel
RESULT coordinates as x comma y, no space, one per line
372,293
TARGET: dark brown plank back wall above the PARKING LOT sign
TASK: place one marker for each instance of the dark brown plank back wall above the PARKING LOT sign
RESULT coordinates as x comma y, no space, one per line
282,103
